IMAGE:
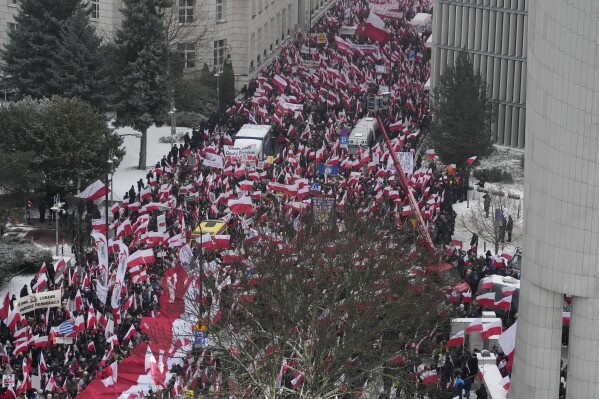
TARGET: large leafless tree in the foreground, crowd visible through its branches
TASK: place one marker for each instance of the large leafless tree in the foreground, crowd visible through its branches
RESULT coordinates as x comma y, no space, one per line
319,313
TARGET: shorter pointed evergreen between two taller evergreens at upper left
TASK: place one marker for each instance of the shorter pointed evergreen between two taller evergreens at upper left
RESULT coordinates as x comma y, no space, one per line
79,67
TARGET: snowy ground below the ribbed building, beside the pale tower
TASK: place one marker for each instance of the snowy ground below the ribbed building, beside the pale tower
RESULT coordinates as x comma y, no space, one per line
506,159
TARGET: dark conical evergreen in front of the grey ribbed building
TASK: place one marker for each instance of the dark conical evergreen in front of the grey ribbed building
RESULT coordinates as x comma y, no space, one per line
464,114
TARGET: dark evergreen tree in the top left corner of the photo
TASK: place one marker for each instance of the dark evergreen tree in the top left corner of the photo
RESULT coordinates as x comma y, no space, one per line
35,41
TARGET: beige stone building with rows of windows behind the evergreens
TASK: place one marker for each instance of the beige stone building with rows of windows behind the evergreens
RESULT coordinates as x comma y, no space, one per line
207,31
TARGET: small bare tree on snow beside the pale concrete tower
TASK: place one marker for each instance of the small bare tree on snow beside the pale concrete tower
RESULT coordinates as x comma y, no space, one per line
491,225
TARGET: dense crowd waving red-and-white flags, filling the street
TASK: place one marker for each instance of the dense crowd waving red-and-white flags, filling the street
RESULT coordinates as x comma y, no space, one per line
311,95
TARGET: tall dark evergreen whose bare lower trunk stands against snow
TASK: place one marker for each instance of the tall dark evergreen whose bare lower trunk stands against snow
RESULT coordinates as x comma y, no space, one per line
142,57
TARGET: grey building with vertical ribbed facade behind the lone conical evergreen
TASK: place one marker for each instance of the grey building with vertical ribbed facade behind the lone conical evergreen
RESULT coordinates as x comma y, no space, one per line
493,33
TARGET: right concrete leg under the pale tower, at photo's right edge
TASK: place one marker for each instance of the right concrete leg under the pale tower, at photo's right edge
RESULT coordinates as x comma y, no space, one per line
583,359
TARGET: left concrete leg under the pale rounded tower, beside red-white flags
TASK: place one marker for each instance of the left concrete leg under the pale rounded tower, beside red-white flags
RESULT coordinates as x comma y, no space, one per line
538,346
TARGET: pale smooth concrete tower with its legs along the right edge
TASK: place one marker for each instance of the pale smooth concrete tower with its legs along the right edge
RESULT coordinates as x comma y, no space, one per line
561,180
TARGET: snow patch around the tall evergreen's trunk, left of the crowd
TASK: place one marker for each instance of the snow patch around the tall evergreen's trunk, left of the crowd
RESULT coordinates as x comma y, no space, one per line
127,173
